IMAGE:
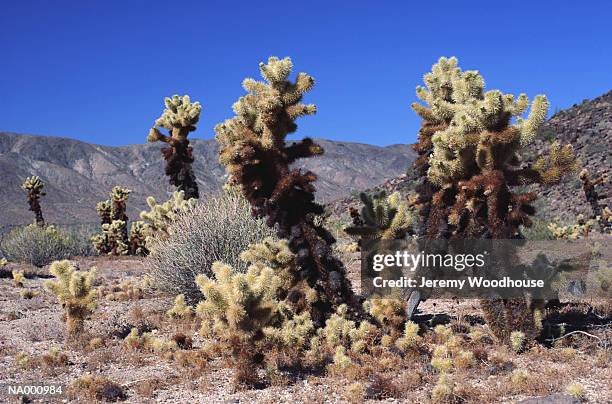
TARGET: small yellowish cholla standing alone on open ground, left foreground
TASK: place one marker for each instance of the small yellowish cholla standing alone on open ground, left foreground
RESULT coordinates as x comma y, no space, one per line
74,289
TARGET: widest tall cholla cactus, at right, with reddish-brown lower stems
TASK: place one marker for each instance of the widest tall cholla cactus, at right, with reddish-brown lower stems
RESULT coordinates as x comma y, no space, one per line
471,156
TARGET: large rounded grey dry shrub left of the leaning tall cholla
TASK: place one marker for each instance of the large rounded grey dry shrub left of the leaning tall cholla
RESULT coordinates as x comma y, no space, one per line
218,228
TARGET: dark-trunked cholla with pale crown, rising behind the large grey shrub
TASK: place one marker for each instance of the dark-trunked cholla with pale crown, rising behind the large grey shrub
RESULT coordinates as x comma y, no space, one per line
179,118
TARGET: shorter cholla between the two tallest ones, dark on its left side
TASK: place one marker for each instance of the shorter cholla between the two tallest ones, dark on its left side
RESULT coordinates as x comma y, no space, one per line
382,217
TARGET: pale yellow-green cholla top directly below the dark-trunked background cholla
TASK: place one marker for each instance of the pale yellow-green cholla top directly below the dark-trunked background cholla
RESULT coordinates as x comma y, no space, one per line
160,216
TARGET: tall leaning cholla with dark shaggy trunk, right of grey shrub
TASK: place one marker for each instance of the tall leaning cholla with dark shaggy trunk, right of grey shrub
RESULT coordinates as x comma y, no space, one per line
254,151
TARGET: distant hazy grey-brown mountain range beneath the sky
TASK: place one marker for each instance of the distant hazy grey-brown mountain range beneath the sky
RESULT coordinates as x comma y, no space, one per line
79,174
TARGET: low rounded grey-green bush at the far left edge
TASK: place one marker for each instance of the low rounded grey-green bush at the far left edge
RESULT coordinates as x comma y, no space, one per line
40,246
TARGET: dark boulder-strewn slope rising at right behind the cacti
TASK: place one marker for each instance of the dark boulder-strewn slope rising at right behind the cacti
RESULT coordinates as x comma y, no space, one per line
587,126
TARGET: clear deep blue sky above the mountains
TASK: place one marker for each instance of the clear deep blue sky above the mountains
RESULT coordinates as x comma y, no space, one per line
98,70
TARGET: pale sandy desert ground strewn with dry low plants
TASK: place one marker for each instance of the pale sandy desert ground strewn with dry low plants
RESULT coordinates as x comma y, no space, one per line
32,331
